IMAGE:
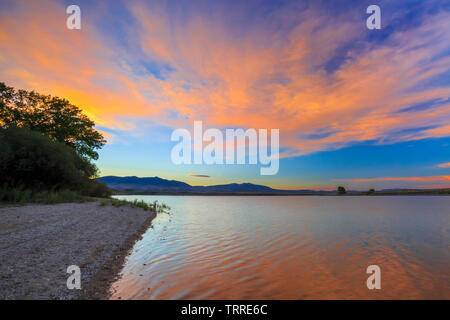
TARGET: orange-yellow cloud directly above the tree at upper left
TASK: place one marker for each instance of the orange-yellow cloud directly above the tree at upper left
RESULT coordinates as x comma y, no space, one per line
40,53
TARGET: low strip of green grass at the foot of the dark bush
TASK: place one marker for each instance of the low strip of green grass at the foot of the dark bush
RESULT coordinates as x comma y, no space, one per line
23,196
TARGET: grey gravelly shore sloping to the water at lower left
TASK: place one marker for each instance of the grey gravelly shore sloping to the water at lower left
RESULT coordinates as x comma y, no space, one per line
39,242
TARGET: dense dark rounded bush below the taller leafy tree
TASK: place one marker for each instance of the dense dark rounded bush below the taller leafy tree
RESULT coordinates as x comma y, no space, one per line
31,161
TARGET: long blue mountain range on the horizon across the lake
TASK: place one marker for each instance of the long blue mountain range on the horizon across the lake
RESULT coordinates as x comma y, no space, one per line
159,185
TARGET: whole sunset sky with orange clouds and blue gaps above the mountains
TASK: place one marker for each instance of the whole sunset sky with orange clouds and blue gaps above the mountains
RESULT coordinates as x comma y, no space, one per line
354,107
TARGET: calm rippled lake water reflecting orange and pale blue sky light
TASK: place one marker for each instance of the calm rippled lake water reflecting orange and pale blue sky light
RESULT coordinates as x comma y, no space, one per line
223,247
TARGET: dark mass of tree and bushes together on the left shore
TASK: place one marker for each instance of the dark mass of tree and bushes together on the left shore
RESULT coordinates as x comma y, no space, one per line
46,143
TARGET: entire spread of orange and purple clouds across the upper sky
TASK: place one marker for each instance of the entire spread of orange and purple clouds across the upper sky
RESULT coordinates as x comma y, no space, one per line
177,66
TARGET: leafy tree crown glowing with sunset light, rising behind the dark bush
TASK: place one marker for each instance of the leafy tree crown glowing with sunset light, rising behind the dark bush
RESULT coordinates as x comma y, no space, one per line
54,117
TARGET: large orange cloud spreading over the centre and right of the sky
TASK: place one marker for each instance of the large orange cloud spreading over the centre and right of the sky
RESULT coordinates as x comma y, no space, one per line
258,81
